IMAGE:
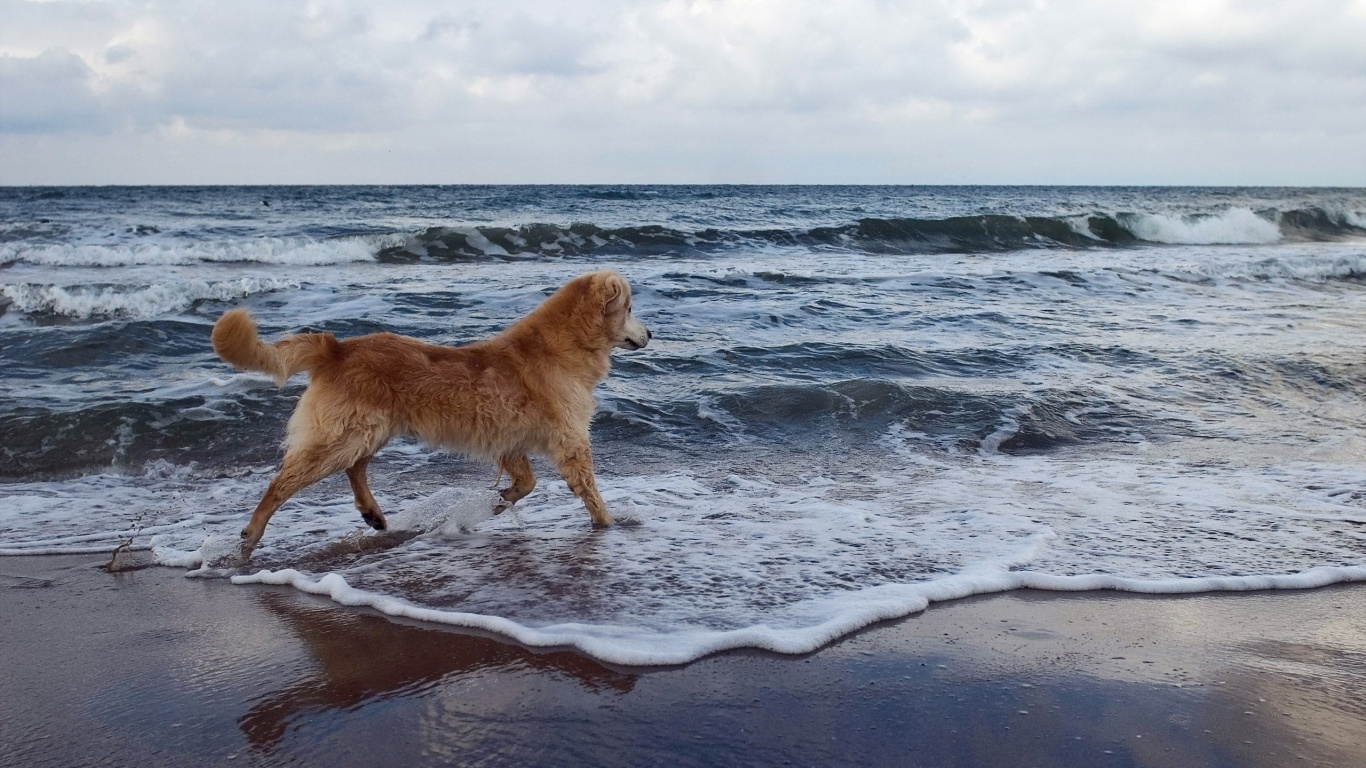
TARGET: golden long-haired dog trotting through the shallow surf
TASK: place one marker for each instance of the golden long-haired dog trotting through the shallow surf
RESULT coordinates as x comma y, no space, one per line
528,390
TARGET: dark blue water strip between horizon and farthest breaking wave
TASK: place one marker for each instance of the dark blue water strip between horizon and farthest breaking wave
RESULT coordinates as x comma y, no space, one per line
893,217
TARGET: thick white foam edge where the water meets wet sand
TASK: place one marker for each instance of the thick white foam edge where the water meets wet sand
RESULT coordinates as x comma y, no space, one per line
636,648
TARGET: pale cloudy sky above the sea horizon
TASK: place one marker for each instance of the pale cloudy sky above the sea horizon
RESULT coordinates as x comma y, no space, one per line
919,92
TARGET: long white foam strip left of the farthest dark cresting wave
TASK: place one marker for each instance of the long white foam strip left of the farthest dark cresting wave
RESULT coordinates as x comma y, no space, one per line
263,251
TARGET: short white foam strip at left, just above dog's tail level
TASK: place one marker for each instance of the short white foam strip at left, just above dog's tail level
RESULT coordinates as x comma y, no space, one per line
137,300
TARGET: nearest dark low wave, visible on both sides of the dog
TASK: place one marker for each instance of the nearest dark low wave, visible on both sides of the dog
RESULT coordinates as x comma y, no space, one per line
242,423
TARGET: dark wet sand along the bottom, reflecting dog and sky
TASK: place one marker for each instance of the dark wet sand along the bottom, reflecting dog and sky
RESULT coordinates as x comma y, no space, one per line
152,669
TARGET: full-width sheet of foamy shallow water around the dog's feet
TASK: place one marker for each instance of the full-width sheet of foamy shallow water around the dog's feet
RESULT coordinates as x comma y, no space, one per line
734,562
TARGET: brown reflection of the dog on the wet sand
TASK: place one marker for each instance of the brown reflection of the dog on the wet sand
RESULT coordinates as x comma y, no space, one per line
363,658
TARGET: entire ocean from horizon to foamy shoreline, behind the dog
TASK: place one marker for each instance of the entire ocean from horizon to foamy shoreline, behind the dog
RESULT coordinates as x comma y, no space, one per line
859,401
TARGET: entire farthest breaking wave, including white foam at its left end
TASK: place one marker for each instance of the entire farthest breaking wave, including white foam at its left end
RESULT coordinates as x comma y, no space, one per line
960,234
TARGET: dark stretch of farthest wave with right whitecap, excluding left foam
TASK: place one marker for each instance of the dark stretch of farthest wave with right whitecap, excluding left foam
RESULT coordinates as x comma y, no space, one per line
961,234
